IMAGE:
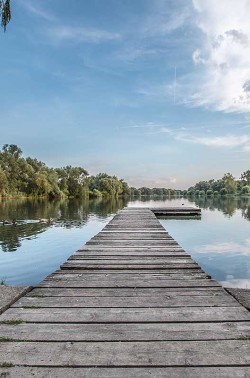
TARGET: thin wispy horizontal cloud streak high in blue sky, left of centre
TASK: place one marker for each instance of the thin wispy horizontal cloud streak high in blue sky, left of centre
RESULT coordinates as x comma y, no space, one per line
61,34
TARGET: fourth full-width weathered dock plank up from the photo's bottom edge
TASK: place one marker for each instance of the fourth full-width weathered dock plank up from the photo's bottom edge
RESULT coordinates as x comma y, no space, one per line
126,315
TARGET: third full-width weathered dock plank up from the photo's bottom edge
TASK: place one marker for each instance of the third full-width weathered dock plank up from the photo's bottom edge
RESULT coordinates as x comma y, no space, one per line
125,332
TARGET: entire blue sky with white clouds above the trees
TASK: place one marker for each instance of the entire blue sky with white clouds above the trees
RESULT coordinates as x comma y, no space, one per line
154,91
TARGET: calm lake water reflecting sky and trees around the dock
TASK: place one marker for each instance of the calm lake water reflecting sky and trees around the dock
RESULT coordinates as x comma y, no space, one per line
29,251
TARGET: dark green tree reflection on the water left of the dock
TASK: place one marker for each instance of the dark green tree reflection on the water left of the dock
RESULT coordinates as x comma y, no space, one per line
73,213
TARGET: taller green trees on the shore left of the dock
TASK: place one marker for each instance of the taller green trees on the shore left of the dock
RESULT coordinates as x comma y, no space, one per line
31,177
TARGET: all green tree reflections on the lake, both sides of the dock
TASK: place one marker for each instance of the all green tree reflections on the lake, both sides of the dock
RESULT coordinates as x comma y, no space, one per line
72,213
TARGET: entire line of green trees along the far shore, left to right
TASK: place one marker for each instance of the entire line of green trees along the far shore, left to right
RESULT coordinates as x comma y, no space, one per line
21,176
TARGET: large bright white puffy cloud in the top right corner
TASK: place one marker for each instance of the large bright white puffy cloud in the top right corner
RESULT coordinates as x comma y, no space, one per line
224,55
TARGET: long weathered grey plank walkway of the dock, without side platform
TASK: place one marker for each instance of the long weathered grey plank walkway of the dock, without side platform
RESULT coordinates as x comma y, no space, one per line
130,303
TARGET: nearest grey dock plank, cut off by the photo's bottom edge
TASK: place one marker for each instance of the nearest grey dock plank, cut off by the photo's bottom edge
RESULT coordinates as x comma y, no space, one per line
93,372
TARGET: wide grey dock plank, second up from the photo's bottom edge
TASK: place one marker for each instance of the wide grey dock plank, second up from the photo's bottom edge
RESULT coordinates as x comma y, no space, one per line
160,353
